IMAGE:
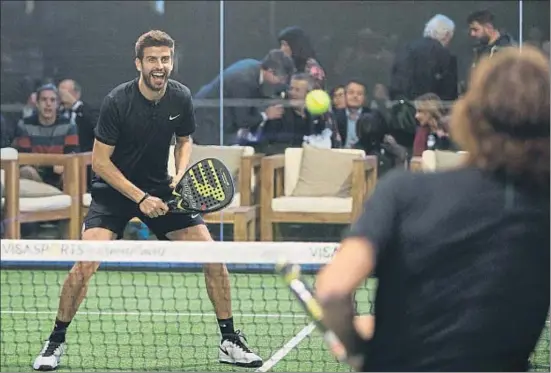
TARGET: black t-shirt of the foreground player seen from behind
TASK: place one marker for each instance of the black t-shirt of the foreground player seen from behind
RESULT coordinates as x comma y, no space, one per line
462,259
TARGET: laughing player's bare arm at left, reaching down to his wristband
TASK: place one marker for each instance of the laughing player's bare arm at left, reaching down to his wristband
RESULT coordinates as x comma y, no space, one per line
104,167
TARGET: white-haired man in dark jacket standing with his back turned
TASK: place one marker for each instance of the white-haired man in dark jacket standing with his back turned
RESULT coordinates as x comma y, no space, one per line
423,66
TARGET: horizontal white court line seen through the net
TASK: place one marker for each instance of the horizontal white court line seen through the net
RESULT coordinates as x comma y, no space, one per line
167,314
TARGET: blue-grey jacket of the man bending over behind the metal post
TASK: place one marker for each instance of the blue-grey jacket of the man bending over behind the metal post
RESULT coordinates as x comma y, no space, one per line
241,81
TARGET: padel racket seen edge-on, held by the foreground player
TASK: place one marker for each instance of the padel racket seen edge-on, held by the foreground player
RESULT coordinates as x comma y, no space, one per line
291,274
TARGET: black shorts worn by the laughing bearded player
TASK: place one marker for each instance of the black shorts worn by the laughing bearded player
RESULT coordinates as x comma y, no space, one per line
113,211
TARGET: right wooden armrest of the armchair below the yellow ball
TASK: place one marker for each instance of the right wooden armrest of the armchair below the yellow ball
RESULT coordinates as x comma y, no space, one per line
364,179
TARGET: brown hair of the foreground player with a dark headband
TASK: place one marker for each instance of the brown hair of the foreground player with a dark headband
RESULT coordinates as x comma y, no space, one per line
503,120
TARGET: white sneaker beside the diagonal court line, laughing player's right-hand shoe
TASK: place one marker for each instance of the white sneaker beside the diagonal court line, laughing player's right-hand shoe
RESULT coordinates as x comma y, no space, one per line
234,350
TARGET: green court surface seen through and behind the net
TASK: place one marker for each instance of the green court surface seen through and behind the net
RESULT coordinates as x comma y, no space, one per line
163,321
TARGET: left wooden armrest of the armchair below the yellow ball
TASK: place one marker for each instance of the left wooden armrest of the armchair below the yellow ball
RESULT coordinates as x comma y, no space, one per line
271,172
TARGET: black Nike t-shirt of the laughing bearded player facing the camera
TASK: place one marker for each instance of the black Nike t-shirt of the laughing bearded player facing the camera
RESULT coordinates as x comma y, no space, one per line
141,132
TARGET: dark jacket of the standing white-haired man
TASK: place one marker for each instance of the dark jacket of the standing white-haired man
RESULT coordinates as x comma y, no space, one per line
424,66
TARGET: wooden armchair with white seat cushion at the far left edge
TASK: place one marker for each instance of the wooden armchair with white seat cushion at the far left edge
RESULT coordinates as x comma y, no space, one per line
21,208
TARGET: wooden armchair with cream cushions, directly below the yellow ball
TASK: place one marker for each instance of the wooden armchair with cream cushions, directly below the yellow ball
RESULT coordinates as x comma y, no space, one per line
280,175
